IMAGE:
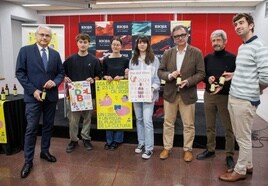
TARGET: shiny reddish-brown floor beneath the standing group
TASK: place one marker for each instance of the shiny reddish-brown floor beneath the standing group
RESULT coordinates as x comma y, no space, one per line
123,167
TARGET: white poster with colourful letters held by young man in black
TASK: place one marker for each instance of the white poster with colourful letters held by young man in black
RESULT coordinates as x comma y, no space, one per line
80,96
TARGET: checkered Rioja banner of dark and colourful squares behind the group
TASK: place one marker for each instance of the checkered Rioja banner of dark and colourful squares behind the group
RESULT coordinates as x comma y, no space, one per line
158,32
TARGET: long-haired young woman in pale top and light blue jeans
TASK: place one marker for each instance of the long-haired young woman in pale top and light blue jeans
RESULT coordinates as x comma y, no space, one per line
144,59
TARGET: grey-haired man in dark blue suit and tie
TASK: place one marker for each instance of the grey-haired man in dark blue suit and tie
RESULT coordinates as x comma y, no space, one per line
39,70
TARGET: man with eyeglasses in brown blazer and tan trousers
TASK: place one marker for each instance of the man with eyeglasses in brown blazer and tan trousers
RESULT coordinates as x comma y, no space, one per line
186,62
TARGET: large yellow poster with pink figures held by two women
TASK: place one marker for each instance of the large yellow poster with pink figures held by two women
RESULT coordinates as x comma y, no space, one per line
114,111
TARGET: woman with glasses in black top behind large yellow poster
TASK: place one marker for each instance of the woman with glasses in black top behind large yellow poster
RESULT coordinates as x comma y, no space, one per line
114,67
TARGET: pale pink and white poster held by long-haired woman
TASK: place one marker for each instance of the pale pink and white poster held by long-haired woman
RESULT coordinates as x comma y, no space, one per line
140,86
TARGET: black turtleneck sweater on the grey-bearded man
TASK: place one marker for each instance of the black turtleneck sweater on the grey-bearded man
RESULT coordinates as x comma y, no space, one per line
215,64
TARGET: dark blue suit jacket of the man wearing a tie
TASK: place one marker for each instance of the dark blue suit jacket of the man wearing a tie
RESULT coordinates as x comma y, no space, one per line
32,75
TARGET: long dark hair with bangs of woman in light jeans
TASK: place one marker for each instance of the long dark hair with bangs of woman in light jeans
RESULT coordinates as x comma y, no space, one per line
149,57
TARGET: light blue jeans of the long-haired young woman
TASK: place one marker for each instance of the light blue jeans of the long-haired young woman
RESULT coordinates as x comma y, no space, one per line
144,124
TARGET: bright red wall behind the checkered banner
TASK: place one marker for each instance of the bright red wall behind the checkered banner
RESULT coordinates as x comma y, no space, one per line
202,26
